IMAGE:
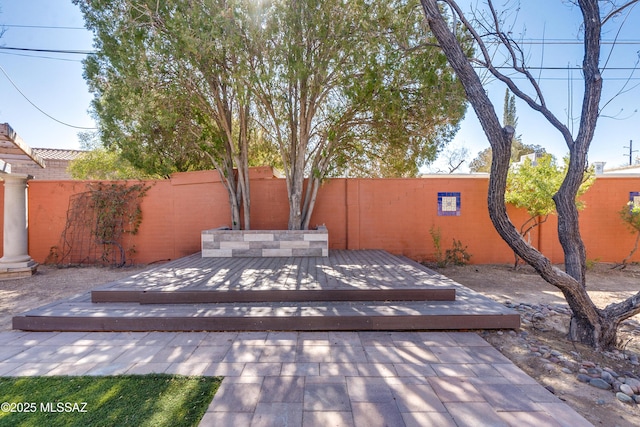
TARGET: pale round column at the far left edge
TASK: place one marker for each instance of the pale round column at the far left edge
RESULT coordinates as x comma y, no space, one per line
16,245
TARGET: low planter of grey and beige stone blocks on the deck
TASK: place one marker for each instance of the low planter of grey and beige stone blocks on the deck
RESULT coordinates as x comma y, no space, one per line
218,243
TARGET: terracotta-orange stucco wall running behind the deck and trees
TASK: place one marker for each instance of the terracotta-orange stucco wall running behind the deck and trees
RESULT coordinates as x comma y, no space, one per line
391,214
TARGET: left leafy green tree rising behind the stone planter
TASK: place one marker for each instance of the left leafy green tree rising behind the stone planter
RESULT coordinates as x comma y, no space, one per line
169,80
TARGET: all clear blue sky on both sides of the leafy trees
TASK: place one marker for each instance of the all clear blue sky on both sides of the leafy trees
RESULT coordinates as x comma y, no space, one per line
55,84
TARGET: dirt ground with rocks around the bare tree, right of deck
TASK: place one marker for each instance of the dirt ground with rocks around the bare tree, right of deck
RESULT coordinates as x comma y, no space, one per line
542,327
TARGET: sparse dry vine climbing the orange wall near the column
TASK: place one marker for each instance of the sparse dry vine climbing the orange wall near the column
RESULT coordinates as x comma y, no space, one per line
100,225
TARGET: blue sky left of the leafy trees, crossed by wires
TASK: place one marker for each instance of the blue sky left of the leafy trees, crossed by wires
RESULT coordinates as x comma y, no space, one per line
51,81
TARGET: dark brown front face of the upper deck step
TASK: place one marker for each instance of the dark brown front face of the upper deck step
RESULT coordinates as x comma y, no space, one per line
276,295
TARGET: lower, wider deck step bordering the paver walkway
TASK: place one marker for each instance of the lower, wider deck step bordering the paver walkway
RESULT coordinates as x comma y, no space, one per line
335,316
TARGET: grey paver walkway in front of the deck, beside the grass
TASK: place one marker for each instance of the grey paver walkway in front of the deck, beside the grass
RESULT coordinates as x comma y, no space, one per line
312,378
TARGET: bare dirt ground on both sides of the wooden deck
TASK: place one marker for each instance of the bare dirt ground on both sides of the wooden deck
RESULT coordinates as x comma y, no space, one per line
542,328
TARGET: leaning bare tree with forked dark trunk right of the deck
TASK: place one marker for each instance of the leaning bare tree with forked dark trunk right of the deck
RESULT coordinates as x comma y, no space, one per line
589,324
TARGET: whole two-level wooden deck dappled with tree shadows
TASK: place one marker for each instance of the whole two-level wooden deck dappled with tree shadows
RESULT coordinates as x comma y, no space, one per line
349,290
